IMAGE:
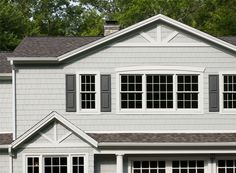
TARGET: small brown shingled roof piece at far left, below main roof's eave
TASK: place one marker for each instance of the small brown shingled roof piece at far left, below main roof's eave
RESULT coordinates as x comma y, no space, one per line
5,66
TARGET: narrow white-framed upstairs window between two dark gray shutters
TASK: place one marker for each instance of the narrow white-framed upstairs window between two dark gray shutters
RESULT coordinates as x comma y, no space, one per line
88,92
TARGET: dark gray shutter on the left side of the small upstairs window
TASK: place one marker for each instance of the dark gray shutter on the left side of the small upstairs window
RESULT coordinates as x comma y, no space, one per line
70,93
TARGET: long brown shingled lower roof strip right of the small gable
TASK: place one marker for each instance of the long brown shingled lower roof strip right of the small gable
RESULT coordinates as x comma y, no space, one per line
164,137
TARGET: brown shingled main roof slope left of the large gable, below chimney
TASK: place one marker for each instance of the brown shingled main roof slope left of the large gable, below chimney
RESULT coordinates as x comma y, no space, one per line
50,46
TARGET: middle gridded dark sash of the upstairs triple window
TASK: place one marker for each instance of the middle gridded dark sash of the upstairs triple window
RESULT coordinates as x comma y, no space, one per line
159,91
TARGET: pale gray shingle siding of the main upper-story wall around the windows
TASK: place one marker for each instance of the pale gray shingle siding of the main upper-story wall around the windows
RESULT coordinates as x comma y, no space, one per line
39,92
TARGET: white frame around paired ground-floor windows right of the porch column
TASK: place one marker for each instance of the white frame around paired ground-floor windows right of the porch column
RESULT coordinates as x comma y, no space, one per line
168,161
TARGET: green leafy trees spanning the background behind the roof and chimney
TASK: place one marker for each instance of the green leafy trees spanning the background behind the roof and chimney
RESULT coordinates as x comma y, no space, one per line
19,18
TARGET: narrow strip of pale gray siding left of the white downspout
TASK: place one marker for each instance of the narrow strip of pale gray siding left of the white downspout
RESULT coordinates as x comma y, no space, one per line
5,106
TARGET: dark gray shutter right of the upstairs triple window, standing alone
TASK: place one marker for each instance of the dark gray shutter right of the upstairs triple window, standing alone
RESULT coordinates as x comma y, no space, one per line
213,93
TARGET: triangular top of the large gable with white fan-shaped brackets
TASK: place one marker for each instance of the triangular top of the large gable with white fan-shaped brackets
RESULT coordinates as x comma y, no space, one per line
160,35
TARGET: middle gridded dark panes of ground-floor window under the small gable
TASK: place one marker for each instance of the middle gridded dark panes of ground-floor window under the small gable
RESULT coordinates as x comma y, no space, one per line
55,164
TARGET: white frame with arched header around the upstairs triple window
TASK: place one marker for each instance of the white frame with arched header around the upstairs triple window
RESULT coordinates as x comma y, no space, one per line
160,70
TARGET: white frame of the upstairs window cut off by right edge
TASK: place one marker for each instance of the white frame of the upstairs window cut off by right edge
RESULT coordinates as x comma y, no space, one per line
221,90
